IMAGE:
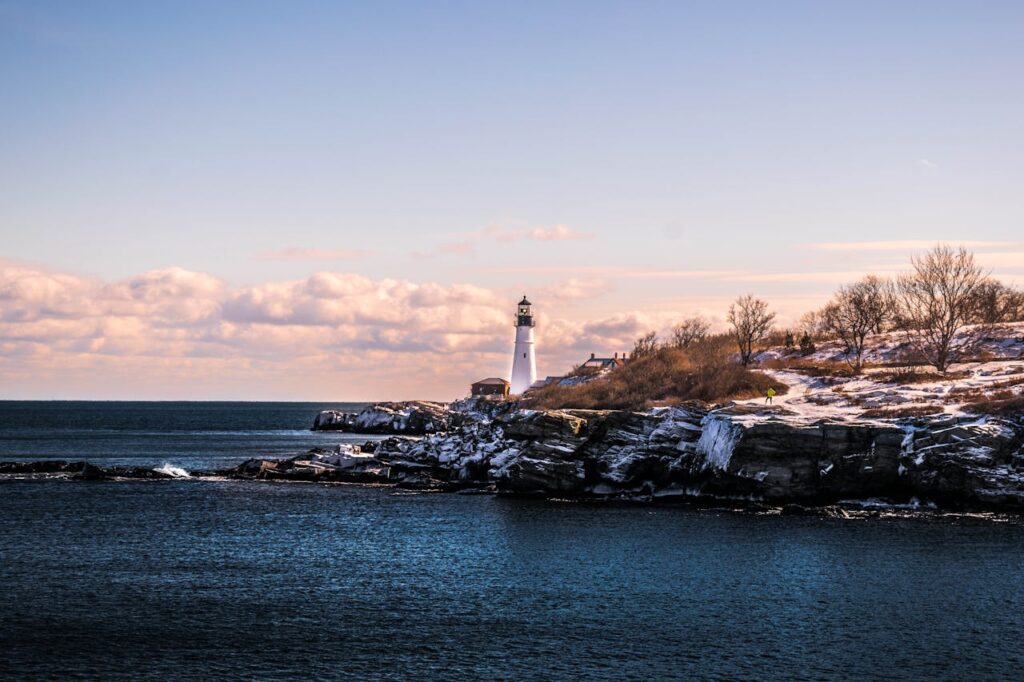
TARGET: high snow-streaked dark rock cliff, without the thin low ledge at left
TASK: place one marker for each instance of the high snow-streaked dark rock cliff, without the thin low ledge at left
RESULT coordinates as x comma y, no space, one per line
692,453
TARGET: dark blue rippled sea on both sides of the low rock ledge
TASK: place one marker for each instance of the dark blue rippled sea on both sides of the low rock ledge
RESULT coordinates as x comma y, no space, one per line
203,580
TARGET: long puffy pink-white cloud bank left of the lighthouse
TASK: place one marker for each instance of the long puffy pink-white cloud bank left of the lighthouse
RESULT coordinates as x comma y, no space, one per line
174,315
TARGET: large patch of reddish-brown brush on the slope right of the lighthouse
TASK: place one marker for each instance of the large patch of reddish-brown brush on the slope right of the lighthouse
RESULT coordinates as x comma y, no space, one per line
668,376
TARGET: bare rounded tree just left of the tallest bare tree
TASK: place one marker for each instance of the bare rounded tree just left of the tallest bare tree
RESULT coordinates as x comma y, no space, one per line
856,313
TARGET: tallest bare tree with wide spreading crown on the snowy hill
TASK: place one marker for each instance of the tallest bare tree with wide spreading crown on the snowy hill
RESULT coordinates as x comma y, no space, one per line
935,302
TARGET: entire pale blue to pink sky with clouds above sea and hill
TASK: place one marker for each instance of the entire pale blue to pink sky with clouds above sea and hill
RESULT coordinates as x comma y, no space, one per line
330,201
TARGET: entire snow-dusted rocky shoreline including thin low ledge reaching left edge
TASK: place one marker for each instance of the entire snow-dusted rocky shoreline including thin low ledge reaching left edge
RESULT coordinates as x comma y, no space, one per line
741,455
